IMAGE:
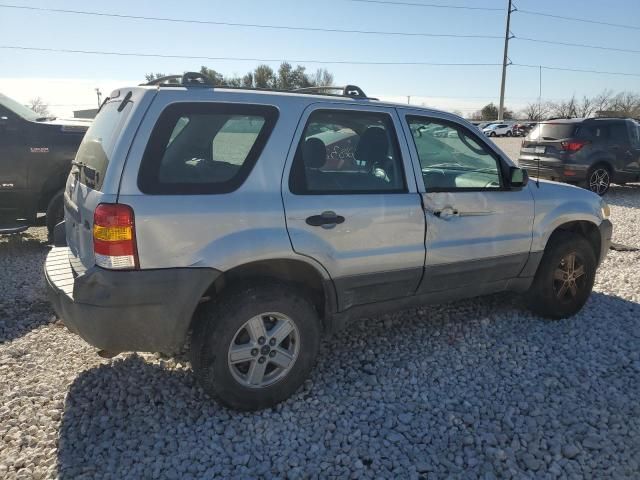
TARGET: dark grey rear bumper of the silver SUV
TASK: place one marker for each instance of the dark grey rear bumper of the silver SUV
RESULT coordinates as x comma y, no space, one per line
141,310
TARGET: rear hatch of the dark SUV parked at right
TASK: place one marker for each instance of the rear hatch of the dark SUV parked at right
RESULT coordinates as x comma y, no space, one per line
545,141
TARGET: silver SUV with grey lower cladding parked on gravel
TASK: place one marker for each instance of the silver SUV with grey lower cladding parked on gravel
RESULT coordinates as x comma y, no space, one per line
254,222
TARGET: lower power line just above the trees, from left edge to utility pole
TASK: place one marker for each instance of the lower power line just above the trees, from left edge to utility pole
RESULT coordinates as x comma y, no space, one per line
204,57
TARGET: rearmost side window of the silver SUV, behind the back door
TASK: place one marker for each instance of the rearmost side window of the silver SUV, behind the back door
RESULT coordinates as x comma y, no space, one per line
200,148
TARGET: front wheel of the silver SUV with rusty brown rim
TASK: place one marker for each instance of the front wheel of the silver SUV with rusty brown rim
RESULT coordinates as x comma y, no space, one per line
545,295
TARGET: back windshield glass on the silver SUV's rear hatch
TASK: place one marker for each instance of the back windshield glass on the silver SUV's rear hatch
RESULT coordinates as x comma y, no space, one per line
97,145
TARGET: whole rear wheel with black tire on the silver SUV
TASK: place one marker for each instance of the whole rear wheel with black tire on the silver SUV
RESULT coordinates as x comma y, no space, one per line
230,322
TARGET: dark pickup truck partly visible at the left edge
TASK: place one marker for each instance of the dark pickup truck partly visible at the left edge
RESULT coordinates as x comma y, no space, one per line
35,158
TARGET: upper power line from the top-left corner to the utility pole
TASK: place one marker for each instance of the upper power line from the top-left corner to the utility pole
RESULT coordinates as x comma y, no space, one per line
247,25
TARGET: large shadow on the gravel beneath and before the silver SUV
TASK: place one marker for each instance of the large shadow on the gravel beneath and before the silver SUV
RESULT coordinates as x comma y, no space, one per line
467,389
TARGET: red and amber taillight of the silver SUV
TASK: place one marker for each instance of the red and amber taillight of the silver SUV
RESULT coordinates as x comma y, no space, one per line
114,237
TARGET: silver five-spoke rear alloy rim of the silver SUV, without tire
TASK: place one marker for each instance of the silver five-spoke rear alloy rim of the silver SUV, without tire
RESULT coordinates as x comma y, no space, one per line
263,350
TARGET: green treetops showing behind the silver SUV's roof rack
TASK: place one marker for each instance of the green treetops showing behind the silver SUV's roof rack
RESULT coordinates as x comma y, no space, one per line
286,77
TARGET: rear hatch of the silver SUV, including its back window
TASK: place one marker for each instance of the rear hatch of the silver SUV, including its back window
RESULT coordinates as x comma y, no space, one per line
94,175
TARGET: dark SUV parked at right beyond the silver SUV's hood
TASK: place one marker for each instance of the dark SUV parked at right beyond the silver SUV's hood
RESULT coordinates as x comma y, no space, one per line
592,152
